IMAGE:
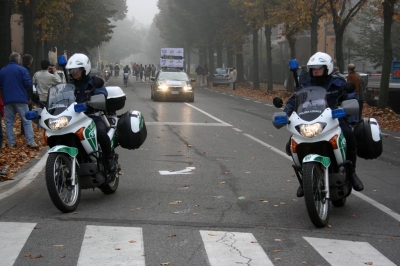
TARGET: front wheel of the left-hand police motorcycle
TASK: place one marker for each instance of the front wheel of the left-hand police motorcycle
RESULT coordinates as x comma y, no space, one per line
64,195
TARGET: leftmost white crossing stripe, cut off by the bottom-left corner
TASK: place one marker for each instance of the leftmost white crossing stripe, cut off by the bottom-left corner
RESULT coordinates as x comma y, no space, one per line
12,240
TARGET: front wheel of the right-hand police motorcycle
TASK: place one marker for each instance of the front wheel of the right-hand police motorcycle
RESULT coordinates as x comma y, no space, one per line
316,202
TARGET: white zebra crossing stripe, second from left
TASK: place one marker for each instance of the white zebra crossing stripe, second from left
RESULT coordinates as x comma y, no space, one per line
108,245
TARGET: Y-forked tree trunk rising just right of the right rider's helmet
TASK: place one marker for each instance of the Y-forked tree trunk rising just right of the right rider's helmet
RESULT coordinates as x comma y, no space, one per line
342,13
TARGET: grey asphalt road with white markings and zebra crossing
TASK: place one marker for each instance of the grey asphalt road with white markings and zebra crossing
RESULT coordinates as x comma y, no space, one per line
210,186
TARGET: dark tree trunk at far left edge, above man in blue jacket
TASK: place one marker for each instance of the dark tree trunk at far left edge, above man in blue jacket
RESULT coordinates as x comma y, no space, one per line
5,31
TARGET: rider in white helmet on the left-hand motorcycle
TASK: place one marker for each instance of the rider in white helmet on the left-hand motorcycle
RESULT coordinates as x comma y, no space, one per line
78,67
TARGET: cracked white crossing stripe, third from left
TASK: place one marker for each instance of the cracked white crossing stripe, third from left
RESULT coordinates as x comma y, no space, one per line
232,248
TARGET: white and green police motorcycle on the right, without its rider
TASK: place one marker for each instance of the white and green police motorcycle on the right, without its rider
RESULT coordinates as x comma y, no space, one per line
318,149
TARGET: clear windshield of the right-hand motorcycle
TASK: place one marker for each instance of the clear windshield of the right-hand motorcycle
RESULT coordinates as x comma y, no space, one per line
310,102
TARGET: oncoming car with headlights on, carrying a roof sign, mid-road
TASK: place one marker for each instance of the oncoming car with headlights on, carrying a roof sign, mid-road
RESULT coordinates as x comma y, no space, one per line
172,84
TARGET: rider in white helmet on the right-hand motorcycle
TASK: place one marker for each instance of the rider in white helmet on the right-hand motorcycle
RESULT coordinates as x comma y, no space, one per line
320,67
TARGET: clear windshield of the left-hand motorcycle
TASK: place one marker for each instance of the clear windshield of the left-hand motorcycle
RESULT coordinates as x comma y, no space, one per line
59,98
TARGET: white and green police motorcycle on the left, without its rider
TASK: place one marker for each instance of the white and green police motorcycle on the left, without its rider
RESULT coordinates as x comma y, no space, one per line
75,158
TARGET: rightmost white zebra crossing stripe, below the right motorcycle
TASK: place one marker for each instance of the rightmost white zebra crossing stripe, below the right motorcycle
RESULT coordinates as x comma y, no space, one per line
348,253
